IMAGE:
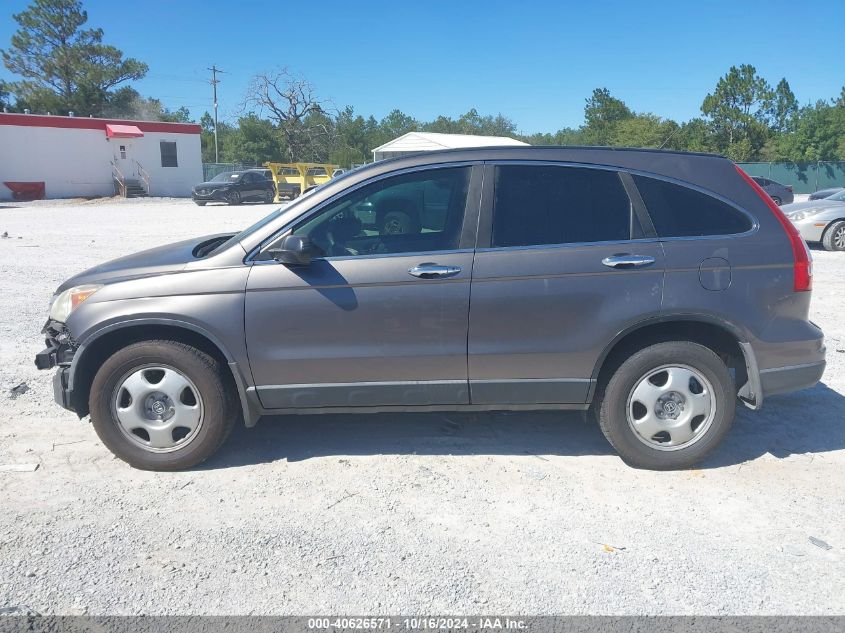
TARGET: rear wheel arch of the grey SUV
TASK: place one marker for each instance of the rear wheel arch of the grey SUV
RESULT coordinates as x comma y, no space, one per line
723,337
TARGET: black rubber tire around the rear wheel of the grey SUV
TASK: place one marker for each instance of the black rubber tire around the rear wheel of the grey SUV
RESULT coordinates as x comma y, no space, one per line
612,407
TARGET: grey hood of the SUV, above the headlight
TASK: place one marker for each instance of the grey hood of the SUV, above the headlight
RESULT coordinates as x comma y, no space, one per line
155,261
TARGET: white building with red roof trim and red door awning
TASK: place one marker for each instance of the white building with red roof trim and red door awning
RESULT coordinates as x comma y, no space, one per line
80,157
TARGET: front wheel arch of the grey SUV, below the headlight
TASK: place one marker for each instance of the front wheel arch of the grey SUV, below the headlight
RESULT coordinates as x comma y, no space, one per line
106,341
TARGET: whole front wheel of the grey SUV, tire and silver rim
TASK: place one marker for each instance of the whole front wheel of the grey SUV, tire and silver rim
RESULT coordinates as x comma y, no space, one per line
161,405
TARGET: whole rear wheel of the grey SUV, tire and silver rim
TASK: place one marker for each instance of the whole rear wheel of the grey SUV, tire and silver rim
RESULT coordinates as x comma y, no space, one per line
668,406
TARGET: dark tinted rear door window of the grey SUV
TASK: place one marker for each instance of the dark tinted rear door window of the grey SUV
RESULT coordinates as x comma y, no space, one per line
547,204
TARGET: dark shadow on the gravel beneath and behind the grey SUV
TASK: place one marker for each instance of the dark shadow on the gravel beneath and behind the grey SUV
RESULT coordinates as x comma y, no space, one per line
810,421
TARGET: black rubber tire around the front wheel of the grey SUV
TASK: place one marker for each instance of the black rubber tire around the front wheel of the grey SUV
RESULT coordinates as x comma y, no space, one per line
220,410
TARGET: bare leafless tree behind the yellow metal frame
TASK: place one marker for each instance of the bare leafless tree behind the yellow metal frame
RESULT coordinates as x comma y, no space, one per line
291,102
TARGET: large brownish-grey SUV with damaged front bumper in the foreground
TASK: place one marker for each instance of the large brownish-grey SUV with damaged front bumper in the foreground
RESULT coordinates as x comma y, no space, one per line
653,288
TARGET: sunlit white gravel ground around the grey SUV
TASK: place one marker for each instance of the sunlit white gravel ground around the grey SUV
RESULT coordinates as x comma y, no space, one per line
425,513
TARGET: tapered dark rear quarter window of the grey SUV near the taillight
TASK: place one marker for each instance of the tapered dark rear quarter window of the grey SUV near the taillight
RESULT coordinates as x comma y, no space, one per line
679,211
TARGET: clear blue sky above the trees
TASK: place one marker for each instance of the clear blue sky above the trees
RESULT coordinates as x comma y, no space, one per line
533,61
